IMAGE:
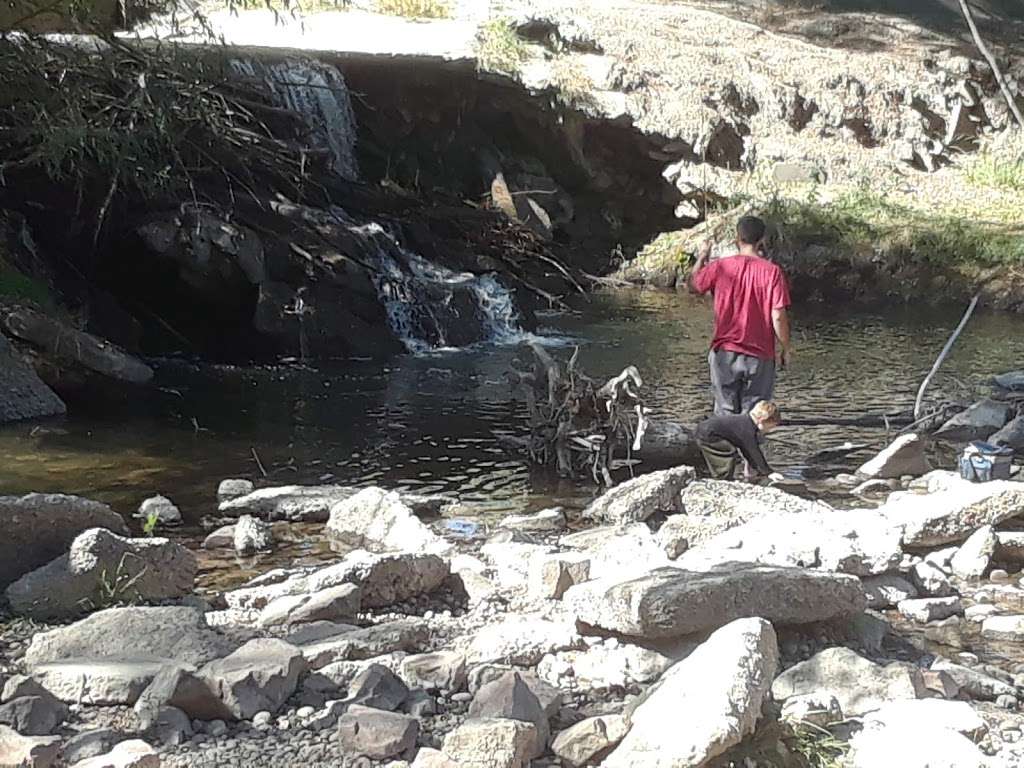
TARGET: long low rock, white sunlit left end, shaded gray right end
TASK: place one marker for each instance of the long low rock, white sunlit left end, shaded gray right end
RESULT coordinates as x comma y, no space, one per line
386,580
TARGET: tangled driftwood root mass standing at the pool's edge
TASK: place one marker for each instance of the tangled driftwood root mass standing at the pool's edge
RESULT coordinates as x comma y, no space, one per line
581,426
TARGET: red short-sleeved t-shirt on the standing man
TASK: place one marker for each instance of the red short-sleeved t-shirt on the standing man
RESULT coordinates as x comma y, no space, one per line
747,290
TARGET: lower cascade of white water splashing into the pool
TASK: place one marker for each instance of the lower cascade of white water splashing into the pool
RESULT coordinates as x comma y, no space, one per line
431,307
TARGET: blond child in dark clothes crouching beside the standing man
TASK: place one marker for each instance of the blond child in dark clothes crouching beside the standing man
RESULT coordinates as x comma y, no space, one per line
721,437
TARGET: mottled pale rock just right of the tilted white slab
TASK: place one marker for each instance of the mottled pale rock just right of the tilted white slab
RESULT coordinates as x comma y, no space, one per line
858,684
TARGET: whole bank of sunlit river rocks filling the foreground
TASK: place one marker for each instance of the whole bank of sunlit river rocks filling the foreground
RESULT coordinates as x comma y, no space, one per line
676,623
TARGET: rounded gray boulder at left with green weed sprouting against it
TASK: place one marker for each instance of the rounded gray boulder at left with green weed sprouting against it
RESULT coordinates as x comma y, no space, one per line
103,567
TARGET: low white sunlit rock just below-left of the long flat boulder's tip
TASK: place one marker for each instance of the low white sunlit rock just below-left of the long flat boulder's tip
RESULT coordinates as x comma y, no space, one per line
522,641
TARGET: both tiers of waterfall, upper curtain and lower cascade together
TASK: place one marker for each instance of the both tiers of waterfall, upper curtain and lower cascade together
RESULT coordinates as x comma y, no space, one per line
429,307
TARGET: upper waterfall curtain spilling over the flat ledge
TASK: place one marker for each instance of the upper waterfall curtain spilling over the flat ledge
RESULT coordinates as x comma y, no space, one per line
318,93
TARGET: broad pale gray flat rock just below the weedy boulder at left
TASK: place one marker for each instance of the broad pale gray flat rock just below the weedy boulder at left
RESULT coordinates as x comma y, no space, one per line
178,633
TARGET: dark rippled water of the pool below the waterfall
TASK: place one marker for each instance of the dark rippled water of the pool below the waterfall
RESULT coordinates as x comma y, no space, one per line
431,423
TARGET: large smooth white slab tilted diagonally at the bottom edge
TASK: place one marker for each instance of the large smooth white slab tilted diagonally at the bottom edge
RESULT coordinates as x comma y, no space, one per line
706,704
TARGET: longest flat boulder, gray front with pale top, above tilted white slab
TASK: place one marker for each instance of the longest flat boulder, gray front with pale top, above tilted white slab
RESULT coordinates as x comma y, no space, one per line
671,603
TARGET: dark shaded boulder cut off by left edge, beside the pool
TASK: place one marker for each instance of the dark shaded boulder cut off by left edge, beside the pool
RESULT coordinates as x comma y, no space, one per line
38,528
